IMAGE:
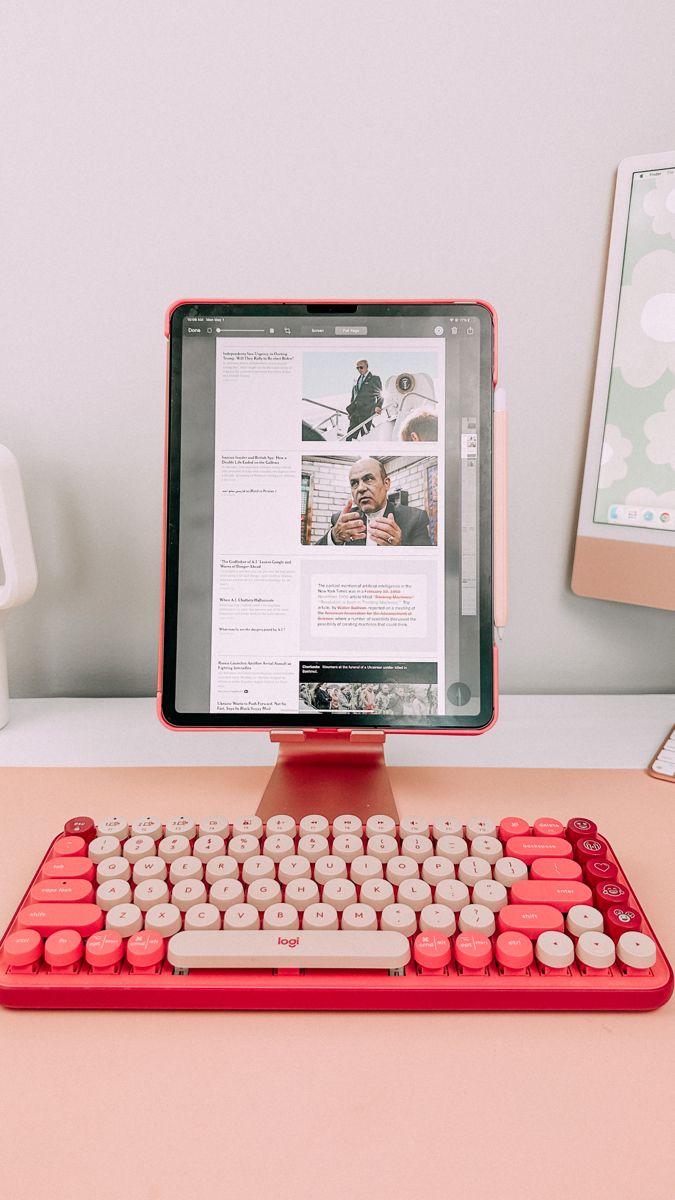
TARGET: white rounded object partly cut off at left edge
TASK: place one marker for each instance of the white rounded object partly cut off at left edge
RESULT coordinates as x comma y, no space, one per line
17,557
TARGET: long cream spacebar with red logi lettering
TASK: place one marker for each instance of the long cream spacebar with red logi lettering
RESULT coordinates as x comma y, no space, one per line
333,950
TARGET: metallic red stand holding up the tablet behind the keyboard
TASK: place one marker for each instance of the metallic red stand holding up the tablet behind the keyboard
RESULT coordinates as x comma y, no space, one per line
328,772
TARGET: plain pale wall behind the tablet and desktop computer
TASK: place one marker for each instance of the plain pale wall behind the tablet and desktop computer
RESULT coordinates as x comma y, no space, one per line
164,149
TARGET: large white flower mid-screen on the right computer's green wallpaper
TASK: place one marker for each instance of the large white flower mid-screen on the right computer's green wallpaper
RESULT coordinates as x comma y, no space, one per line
646,333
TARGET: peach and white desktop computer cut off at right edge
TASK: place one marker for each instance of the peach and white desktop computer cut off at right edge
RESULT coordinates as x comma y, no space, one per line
626,536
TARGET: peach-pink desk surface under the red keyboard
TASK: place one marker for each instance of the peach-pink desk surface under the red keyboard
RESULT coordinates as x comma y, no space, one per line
156,1107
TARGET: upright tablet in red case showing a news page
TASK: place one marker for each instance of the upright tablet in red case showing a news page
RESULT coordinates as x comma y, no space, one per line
328,517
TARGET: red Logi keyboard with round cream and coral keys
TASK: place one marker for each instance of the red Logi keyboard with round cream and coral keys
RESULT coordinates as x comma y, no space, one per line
249,915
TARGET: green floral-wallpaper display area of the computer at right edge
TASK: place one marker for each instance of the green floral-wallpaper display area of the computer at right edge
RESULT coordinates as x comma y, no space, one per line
636,484
